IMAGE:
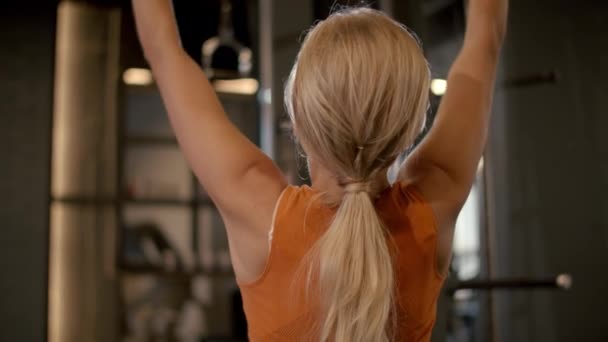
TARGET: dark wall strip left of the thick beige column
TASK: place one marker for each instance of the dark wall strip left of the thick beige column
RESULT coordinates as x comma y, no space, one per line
27,34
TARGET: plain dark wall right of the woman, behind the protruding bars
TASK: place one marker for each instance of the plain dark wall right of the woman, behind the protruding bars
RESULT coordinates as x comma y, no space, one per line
549,171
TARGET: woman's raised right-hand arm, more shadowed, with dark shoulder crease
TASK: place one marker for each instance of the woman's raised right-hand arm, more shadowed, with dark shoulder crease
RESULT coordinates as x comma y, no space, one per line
443,166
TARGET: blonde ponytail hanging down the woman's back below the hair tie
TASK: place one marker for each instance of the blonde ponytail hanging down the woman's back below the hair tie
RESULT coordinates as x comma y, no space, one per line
356,276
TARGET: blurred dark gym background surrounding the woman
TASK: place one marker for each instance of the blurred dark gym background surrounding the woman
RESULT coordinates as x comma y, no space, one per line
106,236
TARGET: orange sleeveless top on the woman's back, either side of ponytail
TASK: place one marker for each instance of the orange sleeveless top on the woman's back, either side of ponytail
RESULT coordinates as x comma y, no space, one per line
274,306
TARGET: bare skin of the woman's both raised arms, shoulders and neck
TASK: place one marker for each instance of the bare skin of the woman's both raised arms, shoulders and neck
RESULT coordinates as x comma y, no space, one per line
245,184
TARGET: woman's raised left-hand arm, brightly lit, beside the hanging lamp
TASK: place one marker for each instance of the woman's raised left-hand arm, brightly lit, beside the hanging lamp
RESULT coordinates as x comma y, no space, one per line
239,178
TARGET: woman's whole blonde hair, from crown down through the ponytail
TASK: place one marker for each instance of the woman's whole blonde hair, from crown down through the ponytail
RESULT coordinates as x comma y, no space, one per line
357,96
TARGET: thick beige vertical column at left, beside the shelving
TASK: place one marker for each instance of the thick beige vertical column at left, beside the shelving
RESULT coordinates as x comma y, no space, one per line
82,277
